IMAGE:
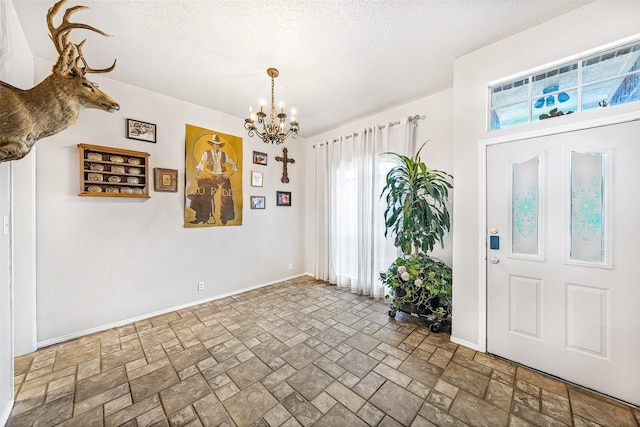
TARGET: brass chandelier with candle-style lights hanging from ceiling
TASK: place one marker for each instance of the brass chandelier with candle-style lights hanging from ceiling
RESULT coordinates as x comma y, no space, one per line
274,131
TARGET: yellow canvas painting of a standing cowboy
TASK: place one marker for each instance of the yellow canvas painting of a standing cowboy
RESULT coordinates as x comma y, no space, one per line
213,178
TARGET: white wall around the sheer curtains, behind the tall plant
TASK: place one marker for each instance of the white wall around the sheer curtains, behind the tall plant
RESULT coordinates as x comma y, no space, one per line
437,154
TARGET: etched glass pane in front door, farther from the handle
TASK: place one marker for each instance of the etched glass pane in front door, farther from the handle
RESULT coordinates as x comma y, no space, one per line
587,207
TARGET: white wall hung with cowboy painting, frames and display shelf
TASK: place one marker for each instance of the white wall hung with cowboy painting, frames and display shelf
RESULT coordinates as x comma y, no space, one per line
105,260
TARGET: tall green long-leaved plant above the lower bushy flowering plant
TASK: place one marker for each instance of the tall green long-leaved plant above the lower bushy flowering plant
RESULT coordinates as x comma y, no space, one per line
416,210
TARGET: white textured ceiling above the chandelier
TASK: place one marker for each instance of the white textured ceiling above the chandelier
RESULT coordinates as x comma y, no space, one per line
338,60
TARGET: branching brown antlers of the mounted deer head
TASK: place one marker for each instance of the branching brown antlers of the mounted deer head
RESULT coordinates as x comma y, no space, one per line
60,35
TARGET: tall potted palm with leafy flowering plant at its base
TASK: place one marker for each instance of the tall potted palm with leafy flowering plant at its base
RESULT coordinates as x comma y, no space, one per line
418,217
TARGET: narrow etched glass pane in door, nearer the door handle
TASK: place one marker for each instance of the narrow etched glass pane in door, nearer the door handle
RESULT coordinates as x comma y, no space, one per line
525,202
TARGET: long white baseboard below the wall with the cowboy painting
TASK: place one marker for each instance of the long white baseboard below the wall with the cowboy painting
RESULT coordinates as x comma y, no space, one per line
57,340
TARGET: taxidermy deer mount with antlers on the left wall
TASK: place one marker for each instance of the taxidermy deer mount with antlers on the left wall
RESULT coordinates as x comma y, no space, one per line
55,104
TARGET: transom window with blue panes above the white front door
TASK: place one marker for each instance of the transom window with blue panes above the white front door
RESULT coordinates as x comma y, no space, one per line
600,80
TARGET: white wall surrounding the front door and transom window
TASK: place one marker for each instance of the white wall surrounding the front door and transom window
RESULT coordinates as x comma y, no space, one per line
586,28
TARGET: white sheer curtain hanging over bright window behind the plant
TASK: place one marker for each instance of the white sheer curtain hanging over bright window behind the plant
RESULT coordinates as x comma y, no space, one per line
351,249
